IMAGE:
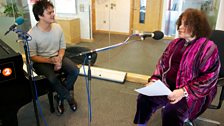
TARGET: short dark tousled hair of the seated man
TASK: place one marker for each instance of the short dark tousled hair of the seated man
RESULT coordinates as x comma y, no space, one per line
39,7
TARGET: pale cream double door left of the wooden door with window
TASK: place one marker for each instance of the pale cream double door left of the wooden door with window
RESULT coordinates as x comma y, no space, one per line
112,16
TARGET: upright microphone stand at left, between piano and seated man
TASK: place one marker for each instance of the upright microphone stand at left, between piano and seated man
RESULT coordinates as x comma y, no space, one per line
25,38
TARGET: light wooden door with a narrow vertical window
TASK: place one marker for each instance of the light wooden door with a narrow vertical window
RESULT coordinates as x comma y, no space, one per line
147,15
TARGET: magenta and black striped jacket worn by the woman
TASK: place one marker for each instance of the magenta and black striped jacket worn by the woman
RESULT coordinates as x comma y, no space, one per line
198,73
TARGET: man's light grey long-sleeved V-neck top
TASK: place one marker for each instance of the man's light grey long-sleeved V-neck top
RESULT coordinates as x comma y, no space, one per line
46,44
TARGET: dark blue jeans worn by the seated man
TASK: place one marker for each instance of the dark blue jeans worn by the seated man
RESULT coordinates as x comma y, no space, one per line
68,67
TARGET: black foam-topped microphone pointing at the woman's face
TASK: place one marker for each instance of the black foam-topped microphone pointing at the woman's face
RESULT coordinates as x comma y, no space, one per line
157,35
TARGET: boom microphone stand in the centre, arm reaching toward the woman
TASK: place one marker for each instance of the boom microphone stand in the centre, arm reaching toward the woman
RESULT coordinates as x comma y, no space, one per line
88,54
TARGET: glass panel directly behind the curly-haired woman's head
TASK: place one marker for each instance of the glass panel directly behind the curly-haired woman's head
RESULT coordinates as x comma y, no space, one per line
174,8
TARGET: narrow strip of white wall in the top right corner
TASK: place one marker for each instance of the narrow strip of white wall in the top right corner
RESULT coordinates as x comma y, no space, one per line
220,18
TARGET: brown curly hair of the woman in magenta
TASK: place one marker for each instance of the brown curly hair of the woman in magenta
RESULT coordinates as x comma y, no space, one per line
196,21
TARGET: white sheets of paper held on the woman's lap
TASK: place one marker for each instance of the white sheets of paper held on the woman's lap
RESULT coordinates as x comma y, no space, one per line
158,88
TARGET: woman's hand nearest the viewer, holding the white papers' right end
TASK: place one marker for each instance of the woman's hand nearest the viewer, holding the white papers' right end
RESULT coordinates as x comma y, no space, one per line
176,96
